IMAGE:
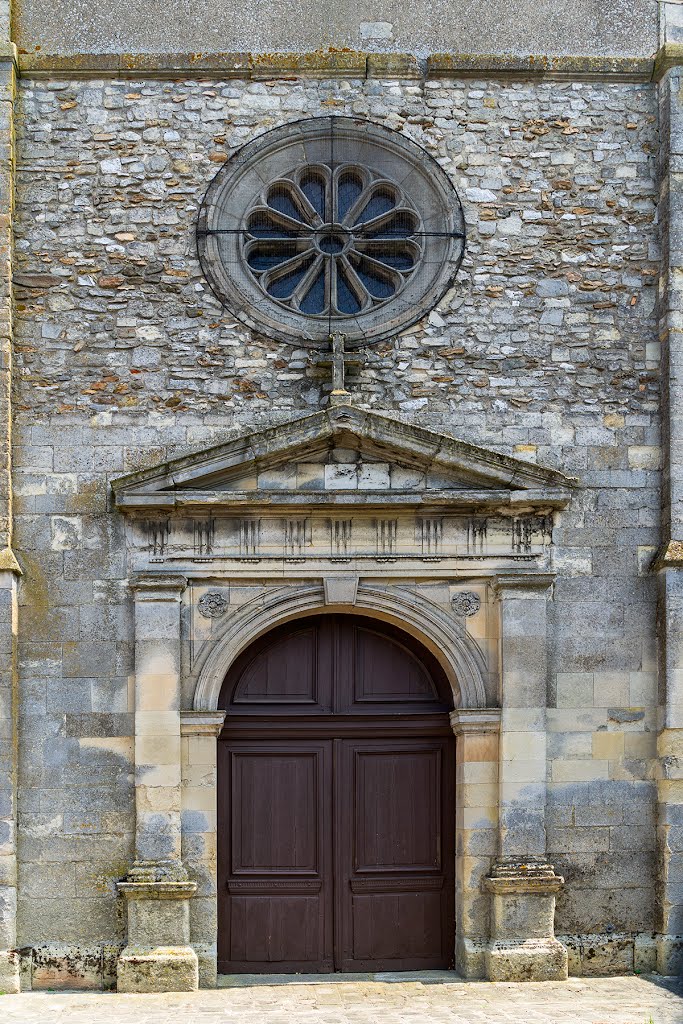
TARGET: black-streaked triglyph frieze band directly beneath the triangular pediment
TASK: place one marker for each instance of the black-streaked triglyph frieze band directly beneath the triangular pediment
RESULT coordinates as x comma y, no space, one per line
367,541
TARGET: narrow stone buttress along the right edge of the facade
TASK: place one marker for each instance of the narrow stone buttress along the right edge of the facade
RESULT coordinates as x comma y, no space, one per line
670,562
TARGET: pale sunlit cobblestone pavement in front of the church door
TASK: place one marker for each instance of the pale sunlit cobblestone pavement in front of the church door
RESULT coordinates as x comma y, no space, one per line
429,999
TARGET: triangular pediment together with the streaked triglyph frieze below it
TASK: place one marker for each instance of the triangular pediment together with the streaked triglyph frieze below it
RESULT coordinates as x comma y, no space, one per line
366,493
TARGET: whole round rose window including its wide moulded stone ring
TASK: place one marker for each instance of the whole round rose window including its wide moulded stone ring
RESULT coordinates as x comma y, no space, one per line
331,225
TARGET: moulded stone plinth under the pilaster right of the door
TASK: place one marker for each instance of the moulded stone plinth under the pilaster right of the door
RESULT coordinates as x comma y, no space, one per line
523,946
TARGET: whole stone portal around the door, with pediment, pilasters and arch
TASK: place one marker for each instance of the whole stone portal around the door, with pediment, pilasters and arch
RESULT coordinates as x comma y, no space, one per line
396,535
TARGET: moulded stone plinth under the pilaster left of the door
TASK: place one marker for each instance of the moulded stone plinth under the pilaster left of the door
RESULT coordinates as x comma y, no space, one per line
158,957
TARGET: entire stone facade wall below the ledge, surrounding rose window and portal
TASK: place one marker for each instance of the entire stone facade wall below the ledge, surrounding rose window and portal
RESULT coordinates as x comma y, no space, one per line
546,349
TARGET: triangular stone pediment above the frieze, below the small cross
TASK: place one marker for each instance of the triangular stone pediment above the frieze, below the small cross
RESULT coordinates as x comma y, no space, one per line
344,456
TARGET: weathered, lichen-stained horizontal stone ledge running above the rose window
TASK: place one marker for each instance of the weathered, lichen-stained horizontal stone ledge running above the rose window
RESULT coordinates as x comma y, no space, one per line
348,64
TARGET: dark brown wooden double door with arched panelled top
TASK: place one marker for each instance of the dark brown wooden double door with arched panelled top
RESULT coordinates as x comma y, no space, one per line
336,803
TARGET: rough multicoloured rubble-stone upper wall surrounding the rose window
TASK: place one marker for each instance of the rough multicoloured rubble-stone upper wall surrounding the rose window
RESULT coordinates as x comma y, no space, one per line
552,310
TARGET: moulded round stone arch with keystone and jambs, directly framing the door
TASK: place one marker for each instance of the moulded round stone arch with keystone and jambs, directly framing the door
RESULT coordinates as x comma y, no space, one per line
442,633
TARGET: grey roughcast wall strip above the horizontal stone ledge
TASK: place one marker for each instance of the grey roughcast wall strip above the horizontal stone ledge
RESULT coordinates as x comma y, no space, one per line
585,28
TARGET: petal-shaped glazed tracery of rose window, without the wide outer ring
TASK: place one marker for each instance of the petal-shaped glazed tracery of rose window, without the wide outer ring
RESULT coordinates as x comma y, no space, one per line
333,242
